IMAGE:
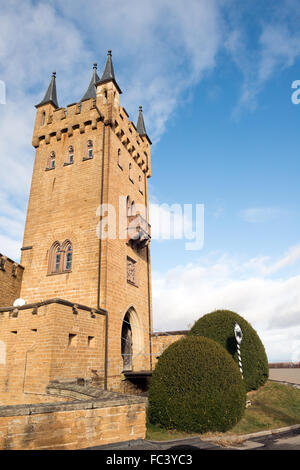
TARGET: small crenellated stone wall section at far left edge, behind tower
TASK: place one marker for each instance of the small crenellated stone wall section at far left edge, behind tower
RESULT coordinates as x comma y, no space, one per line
11,274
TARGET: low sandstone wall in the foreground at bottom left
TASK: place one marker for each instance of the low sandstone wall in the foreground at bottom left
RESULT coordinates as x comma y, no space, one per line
74,425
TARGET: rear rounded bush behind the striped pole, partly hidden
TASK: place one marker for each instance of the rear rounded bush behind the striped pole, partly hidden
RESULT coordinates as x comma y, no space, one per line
219,326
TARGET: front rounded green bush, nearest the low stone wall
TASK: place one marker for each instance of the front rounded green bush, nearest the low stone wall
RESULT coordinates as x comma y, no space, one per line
196,387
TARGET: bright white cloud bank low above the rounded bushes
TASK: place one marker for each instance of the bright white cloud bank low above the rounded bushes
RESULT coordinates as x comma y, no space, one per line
272,306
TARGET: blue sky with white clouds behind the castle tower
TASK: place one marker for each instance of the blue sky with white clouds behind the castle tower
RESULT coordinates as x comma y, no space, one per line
215,81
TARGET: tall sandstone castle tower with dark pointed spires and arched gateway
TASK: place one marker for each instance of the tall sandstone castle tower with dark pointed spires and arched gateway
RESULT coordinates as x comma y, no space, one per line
87,229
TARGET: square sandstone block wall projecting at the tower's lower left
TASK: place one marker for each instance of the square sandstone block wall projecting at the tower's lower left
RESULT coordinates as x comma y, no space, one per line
50,342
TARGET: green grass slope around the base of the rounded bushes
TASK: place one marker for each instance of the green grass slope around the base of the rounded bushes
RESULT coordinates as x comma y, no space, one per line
272,406
